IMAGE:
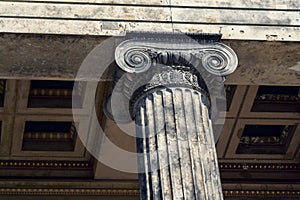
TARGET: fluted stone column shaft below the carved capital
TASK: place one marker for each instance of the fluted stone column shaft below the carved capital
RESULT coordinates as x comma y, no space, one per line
177,157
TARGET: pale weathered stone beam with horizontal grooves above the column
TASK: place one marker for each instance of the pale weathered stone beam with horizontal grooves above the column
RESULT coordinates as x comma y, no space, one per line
255,20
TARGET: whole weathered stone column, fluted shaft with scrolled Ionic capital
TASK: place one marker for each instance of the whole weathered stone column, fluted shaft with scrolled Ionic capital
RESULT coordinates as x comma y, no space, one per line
171,104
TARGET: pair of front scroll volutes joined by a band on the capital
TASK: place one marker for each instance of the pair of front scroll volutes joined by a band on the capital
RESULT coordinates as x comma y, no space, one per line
137,56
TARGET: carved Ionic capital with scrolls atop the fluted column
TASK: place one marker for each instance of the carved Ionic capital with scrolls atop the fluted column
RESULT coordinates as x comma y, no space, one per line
151,60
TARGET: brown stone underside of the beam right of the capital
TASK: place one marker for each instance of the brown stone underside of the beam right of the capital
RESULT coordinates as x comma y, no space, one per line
267,63
